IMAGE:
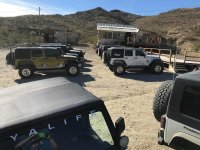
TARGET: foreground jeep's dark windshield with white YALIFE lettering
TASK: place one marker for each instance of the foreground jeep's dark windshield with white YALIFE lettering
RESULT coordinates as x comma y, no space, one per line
81,132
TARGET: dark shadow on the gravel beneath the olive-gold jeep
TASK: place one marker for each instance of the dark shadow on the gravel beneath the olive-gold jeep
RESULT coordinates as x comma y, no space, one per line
80,79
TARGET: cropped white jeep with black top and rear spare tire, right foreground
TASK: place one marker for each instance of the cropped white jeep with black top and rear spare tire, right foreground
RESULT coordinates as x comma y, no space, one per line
177,106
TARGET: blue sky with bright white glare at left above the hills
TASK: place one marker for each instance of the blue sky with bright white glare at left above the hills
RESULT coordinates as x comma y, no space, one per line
64,7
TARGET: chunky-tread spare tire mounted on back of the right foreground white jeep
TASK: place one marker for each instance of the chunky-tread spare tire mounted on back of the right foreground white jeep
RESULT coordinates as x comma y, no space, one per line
161,99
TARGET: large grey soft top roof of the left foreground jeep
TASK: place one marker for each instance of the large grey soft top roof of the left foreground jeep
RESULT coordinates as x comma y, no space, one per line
50,96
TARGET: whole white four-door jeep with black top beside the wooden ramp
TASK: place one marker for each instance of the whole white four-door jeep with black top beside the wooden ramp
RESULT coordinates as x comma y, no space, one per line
121,58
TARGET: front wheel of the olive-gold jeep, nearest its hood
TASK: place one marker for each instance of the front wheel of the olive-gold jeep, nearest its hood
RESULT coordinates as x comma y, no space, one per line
72,69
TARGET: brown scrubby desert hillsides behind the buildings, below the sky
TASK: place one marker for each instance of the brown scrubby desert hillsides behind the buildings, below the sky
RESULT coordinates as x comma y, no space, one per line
180,27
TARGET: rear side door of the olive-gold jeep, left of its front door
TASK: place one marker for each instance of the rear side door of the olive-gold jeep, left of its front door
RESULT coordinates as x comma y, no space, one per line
37,58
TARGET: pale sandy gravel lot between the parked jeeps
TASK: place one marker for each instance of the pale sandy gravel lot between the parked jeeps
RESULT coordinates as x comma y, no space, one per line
129,96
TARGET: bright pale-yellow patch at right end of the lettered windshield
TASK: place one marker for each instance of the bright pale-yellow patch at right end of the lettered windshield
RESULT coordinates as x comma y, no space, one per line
100,127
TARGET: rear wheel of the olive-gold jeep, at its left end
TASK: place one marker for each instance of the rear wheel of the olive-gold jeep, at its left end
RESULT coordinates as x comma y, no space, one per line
26,71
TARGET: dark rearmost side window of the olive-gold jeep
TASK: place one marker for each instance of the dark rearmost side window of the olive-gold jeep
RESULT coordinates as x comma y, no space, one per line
22,54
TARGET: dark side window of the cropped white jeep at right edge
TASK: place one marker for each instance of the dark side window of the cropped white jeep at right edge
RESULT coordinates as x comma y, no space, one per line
190,105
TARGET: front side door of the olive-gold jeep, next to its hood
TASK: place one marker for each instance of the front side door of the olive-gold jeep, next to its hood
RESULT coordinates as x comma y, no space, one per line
51,61
